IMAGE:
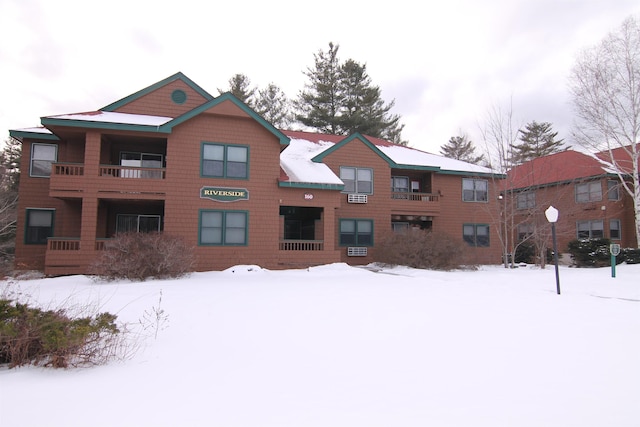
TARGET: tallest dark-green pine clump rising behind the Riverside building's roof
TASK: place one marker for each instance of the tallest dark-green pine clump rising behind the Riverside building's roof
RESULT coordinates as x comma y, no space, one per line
340,99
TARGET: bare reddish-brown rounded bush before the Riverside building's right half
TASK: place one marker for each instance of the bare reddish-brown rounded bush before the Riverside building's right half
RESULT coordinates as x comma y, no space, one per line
420,249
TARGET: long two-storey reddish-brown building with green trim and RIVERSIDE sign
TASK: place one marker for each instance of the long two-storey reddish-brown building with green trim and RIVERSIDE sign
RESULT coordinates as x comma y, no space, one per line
173,158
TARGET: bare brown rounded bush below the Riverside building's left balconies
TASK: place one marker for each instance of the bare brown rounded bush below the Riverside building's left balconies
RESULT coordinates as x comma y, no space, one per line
139,256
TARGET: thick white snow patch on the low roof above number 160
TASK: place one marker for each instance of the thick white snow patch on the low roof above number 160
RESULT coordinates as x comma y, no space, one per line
296,162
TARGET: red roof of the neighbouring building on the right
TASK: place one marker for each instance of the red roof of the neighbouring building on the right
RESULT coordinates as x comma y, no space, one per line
565,166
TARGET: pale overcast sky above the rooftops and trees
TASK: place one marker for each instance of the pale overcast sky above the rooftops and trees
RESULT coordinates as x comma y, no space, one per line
445,63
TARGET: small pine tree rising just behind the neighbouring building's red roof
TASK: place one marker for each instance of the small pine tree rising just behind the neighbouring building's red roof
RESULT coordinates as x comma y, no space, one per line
537,140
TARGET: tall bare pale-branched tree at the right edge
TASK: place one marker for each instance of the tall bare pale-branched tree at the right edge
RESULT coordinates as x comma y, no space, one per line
605,85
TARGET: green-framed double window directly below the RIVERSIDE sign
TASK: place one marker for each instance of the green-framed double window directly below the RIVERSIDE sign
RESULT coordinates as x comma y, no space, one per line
223,228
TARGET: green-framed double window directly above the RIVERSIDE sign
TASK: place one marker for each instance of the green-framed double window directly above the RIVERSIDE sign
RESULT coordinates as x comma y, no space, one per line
225,161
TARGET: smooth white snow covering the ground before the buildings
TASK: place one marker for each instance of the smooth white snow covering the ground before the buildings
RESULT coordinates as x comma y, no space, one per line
345,346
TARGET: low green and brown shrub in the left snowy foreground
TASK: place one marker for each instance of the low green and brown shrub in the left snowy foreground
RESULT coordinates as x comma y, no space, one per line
30,335
